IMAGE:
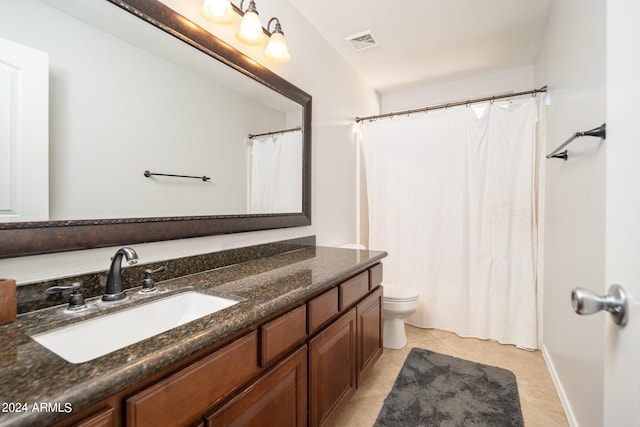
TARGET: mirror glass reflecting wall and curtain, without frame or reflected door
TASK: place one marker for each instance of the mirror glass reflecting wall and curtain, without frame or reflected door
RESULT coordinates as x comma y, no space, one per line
126,98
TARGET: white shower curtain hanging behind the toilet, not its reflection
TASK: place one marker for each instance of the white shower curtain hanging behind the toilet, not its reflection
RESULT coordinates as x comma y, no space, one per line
452,200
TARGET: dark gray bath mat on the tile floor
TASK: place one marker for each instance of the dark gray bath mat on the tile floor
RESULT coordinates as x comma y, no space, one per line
437,390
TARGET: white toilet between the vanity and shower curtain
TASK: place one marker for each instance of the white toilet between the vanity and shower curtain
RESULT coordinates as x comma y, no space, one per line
398,303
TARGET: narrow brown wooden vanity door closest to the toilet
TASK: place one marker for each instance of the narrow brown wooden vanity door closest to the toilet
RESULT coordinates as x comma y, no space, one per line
369,314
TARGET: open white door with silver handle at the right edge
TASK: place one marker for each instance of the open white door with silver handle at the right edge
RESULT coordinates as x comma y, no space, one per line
622,345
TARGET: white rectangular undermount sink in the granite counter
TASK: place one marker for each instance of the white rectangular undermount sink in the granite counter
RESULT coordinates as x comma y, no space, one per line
93,338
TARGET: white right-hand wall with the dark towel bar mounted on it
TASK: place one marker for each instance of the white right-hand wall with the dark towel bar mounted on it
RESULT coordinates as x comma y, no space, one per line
572,64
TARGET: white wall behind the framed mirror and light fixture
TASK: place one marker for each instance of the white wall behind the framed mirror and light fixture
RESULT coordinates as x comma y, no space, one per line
339,95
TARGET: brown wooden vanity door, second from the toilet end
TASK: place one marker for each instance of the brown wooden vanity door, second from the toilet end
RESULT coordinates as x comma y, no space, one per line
332,368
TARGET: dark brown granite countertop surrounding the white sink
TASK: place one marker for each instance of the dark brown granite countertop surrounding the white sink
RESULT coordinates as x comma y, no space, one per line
31,375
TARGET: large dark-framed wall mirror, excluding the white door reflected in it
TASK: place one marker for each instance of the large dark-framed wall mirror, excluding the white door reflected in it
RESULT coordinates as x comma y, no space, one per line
137,95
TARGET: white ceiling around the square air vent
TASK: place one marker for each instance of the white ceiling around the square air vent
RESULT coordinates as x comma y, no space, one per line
427,42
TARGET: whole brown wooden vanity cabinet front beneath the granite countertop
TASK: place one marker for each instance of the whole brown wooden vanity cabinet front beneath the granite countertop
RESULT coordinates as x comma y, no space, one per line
294,369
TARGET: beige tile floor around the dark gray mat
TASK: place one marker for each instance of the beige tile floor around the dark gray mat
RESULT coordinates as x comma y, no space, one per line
538,396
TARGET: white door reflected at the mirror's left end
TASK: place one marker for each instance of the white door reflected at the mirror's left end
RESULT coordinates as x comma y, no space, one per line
24,133
